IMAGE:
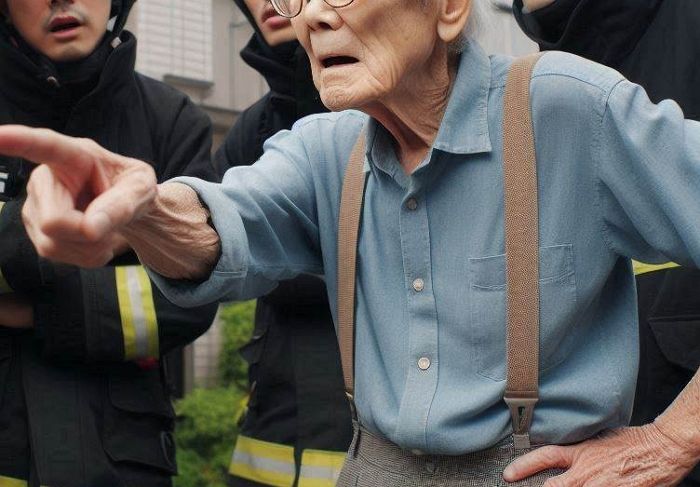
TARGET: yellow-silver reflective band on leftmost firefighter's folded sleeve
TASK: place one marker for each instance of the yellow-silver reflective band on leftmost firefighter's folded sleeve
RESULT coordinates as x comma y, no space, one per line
137,311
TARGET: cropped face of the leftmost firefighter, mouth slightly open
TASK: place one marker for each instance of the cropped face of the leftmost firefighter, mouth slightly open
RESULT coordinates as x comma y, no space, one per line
62,30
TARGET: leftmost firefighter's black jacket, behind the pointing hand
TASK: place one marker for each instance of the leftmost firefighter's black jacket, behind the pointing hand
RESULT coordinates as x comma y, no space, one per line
83,402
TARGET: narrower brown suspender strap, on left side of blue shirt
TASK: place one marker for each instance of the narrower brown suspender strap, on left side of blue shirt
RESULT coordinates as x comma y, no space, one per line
348,230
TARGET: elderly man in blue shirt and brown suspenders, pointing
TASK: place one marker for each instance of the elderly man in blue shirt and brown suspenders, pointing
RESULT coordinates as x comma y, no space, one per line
431,289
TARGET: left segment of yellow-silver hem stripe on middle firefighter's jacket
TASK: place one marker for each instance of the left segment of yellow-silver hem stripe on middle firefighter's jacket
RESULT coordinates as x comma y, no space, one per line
263,462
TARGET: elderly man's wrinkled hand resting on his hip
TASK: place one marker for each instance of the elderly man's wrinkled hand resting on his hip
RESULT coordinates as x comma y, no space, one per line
644,456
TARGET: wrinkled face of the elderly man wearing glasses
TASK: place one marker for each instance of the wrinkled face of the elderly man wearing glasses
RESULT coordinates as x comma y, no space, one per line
361,53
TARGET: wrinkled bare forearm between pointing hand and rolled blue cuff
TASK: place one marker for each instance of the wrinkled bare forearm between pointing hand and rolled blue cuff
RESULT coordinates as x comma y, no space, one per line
175,238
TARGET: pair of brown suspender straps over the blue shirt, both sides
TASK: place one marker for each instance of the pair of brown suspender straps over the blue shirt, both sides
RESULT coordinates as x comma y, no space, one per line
522,254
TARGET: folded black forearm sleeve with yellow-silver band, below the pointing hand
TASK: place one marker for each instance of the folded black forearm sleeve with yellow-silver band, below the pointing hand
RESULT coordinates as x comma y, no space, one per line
112,314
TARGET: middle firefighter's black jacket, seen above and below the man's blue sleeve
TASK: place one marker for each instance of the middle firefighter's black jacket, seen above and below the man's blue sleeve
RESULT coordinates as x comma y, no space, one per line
297,403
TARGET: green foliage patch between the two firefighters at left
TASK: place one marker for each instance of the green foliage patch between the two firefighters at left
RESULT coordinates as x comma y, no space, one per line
206,429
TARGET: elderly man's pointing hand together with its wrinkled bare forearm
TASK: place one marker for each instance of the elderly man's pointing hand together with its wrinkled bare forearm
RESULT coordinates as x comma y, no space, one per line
85,205
